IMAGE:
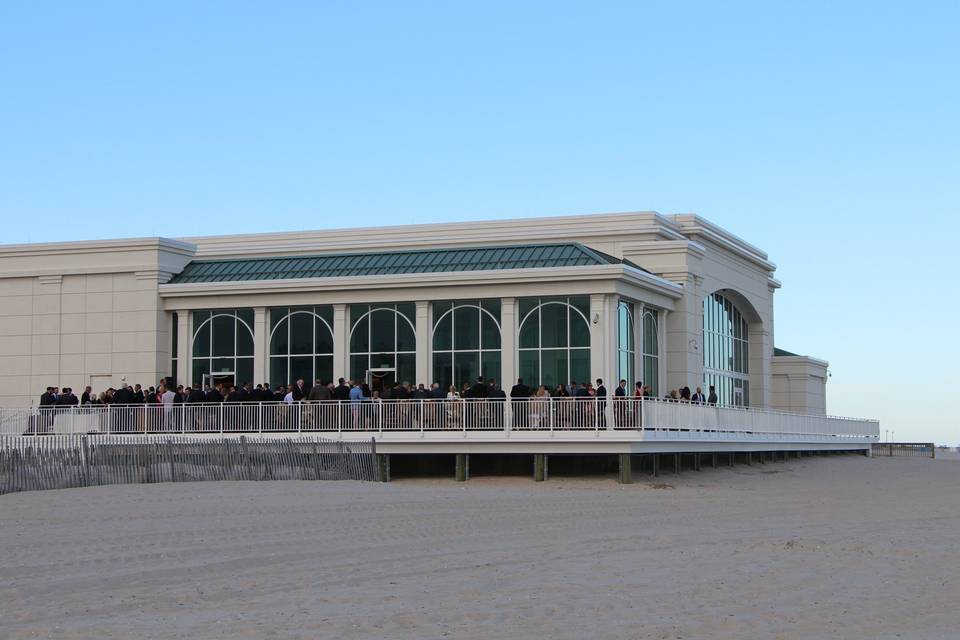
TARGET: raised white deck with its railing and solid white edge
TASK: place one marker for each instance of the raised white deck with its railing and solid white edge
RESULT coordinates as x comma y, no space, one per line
472,426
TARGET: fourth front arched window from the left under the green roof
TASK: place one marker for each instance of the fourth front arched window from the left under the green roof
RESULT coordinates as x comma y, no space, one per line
466,341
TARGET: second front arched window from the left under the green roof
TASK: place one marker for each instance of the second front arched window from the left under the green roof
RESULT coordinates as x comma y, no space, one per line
301,344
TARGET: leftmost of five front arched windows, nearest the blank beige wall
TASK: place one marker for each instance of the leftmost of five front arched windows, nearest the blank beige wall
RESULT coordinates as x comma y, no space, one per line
223,343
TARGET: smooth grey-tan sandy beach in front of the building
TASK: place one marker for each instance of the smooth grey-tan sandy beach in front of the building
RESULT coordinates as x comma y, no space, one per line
843,547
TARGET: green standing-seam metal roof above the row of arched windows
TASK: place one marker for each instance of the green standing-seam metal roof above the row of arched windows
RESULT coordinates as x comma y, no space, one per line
530,256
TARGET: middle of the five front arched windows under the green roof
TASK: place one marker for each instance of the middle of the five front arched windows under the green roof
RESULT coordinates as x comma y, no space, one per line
383,336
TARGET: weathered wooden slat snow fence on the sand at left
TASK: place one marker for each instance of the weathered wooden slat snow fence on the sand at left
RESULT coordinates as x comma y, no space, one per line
29,463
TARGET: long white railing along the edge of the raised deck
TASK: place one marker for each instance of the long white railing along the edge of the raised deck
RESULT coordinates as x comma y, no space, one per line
655,418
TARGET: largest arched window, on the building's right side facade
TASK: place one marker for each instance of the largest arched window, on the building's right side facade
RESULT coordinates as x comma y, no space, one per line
725,351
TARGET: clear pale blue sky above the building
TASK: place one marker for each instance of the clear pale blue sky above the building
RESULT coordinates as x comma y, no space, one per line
826,133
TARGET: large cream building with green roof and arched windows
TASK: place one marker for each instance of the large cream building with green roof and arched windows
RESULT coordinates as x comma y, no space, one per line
670,300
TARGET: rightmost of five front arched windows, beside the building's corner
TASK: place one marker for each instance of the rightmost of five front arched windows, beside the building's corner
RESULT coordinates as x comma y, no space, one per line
554,341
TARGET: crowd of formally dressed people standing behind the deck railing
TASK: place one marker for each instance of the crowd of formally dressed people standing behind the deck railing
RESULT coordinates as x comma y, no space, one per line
351,390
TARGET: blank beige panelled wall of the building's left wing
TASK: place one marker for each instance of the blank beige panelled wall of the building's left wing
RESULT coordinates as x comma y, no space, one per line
76,313
